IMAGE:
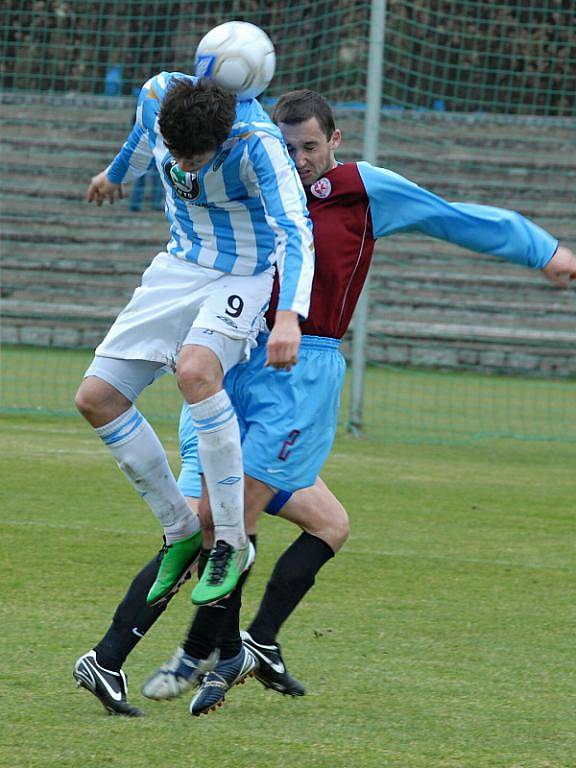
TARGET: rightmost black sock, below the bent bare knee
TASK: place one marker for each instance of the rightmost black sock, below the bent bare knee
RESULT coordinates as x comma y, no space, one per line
293,575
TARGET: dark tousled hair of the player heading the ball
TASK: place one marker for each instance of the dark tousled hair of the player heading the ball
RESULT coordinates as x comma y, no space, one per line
195,117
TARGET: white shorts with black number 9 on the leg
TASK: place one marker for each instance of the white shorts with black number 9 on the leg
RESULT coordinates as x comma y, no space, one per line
176,296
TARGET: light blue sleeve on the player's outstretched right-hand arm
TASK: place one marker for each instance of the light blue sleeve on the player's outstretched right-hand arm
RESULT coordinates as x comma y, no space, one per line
399,205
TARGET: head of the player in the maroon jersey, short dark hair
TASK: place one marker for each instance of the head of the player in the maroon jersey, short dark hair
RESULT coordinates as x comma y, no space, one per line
307,124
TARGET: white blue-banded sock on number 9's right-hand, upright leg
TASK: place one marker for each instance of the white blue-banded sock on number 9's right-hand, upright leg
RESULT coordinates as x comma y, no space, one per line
221,456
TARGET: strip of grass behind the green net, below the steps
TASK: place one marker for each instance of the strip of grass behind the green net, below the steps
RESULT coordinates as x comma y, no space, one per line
401,405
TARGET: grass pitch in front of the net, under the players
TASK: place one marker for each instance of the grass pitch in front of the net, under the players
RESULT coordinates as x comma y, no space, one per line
441,637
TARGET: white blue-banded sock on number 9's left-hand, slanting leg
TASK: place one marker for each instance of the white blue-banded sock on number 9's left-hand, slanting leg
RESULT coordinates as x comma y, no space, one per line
141,457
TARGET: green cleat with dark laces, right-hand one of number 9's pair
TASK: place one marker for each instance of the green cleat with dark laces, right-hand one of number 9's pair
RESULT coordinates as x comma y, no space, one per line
225,566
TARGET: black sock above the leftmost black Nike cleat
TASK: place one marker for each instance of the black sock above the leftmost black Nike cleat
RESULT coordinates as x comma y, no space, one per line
132,619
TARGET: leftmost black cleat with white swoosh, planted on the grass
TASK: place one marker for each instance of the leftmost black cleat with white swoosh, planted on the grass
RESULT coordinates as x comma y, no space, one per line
111,688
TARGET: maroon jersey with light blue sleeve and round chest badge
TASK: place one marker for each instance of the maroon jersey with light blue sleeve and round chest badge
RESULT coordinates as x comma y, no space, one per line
355,203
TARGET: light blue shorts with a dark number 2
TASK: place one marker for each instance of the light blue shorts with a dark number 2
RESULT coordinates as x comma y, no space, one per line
287,419
